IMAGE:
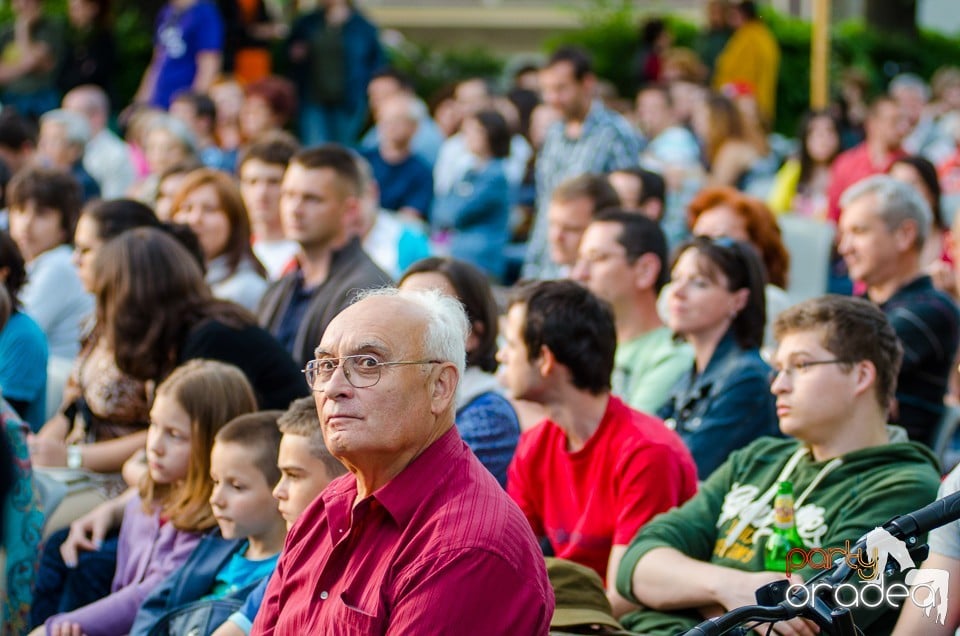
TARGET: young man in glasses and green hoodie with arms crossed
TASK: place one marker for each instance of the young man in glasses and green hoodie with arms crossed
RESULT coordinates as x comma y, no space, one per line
836,369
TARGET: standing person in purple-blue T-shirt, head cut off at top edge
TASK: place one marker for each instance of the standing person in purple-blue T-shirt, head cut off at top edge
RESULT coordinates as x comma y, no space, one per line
187,53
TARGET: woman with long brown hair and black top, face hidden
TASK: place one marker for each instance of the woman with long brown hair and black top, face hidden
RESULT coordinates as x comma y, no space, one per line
156,311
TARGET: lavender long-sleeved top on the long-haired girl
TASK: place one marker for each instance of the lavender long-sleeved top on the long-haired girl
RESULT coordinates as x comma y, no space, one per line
114,614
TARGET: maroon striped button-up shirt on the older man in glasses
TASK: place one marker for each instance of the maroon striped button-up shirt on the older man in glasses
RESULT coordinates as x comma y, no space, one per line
440,549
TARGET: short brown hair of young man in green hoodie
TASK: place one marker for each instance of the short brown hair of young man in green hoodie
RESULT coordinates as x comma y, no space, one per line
854,329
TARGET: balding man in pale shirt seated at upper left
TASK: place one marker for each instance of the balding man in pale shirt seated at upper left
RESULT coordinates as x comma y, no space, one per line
106,156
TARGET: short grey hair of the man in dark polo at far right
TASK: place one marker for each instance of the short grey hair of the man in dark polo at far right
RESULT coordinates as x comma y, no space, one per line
896,202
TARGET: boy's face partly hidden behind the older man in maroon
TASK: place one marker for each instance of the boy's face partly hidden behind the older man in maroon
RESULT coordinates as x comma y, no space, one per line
306,467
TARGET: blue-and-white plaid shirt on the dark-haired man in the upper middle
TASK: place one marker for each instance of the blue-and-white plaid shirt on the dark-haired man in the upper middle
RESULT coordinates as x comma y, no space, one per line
607,142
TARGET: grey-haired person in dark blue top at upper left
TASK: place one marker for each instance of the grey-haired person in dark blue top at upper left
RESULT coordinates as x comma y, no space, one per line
61,144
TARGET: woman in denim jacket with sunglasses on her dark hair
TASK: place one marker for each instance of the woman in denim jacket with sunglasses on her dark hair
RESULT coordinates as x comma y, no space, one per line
716,303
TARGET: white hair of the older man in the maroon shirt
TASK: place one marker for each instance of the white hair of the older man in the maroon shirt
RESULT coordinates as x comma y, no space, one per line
447,328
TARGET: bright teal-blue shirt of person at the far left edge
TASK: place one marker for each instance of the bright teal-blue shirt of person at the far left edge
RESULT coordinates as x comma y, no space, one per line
23,367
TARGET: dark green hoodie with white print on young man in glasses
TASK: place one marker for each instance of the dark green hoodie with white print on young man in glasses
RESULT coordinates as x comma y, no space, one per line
727,522
